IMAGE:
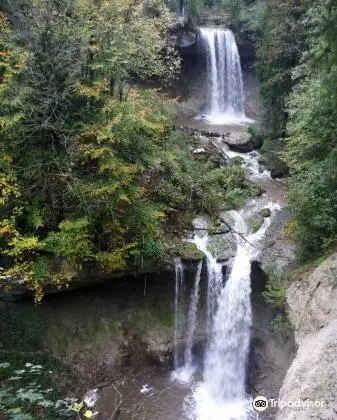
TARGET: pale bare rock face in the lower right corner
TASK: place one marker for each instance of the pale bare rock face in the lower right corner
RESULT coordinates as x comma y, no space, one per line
312,300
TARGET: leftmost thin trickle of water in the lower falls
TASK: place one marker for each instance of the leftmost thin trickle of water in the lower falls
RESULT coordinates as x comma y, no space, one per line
178,303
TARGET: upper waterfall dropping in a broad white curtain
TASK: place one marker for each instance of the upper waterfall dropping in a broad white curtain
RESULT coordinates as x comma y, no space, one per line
225,104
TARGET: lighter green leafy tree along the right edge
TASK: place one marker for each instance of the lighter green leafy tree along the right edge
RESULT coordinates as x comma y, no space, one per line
310,148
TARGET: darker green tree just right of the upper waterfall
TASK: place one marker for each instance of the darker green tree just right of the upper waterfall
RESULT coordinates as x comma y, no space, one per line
282,41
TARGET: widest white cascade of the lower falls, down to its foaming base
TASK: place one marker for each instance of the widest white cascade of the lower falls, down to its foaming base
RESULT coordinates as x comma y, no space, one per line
221,395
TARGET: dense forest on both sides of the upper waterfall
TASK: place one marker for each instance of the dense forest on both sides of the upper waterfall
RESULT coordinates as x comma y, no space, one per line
92,170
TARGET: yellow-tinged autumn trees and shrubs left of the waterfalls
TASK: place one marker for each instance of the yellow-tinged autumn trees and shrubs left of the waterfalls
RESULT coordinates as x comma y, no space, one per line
91,171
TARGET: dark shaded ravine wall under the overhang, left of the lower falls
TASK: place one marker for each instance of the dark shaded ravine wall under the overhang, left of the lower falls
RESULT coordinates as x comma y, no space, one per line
97,333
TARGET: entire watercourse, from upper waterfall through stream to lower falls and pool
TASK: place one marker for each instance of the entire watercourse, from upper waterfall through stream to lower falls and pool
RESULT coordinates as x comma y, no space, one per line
211,384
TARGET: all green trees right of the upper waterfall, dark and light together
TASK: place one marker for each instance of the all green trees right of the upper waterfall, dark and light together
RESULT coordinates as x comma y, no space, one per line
297,67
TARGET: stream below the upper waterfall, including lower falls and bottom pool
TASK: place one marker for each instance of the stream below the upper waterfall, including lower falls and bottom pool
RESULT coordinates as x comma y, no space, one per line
210,386
